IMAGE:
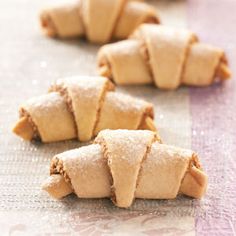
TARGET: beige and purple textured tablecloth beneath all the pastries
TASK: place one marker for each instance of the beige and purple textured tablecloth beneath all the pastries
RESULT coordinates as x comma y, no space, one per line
201,118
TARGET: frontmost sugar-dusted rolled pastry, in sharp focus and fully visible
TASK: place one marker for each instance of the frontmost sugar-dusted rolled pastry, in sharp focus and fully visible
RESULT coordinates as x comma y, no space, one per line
124,165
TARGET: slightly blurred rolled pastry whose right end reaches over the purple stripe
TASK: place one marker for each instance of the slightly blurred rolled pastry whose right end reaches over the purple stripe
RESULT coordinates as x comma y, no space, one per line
164,56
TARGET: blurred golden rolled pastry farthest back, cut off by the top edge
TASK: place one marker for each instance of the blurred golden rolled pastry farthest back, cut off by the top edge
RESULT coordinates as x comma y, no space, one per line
98,20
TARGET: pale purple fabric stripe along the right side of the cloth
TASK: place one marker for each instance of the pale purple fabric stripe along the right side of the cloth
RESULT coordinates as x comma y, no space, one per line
213,112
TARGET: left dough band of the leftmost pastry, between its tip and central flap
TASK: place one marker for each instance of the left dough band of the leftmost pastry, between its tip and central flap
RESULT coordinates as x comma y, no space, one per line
51,116
